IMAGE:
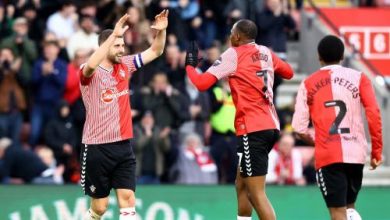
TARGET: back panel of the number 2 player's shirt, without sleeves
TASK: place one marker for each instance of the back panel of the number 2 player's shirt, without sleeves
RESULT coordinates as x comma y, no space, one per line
333,98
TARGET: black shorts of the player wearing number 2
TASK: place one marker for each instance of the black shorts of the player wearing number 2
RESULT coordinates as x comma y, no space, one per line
340,183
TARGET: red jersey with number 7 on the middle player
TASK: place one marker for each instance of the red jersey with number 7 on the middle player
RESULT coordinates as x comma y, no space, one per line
250,69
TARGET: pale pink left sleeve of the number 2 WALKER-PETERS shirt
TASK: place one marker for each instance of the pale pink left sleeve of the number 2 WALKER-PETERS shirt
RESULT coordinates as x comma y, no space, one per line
301,117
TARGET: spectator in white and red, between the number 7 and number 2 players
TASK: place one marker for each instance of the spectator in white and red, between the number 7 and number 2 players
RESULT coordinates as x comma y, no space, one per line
285,163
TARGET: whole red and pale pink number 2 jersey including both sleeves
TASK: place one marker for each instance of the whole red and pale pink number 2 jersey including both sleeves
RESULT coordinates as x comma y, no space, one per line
332,98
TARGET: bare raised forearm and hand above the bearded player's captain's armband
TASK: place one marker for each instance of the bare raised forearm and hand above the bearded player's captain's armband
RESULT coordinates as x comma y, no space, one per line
157,48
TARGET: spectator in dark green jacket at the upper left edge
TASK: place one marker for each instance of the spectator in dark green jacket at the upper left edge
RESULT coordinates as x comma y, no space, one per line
22,47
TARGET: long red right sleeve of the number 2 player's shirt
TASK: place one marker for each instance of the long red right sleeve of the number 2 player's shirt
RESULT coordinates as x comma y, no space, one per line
367,97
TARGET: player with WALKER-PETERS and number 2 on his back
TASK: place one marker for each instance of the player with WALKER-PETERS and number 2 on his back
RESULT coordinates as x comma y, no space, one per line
333,98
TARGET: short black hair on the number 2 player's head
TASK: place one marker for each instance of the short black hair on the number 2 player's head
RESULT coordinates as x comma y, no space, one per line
330,49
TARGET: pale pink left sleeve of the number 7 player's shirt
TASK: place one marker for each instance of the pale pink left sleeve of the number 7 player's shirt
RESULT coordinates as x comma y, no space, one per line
225,66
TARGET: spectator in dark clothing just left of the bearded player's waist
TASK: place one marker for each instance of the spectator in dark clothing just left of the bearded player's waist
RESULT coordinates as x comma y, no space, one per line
60,136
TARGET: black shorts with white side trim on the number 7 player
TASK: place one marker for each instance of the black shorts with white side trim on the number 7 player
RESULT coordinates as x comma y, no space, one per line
252,151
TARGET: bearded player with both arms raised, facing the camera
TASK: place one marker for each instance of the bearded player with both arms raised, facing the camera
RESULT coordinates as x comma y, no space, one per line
107,154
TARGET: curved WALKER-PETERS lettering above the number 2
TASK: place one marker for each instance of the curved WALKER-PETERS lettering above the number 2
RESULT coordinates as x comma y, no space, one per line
336,81
